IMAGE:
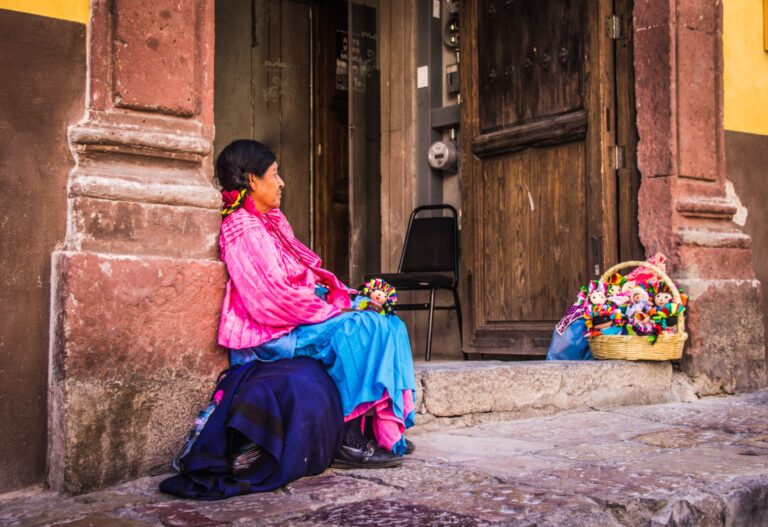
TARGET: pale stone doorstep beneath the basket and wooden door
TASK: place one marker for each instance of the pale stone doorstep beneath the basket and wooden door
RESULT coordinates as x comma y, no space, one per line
464,393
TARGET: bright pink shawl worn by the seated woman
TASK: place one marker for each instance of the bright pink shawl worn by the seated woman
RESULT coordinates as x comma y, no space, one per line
272,277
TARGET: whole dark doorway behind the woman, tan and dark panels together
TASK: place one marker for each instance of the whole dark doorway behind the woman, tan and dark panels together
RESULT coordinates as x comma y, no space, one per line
283,77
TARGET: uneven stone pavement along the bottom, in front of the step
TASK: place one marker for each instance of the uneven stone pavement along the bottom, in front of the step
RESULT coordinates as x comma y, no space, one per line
699,464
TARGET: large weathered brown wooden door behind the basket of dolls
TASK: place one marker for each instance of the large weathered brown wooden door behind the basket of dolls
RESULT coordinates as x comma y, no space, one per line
539,196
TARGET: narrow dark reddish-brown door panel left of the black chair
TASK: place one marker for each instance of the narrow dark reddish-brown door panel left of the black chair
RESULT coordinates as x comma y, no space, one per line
347,138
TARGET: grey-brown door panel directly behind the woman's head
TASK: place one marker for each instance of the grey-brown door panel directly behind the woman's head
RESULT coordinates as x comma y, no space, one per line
263,90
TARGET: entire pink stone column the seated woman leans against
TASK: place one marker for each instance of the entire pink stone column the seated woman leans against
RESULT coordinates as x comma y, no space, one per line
137,286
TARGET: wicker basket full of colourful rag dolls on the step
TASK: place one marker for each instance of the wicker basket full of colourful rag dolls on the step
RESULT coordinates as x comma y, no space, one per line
637,316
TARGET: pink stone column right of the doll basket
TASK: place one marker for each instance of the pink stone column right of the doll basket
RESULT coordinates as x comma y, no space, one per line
683,211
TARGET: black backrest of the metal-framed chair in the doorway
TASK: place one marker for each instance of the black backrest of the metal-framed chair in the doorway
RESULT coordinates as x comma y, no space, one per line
431,243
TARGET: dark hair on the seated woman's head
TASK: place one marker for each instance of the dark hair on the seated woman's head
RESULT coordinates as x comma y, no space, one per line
240,158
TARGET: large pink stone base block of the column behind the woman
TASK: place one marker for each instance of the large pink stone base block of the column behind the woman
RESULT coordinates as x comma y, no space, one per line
135,356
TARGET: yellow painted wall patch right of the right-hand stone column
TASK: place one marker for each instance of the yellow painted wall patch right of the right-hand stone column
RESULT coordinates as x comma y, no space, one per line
746,66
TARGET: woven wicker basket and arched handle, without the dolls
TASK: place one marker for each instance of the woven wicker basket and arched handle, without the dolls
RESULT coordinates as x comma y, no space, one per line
668,346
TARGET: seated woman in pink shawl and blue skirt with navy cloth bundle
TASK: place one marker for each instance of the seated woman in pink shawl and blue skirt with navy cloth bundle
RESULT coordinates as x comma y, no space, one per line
281,304
